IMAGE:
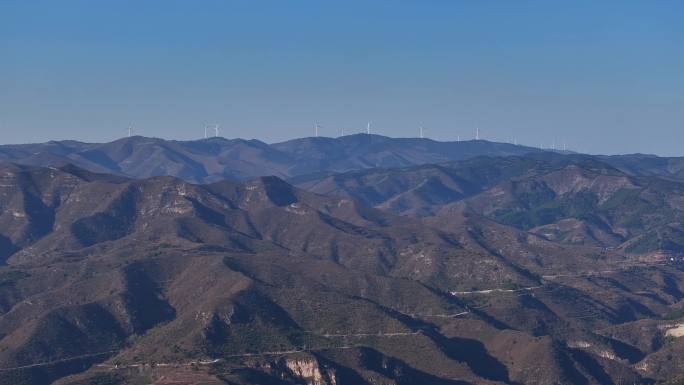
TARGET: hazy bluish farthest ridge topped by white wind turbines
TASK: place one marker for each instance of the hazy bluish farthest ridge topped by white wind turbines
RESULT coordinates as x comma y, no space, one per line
215,159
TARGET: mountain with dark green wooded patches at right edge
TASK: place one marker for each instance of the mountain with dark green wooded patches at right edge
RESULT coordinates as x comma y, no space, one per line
608,207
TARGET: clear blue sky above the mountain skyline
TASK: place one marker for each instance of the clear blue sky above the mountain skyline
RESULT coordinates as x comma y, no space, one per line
602,76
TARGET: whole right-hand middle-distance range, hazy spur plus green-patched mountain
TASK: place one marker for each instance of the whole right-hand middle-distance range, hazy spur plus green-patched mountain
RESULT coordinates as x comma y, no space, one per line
569,199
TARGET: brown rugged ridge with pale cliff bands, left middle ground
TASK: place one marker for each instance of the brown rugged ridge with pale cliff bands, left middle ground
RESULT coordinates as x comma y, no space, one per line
262,215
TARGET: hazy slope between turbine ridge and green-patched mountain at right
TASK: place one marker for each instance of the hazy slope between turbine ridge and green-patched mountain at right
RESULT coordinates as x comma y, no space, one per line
421,190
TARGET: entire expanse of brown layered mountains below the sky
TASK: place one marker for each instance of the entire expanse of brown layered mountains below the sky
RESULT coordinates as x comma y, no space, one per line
357,260
